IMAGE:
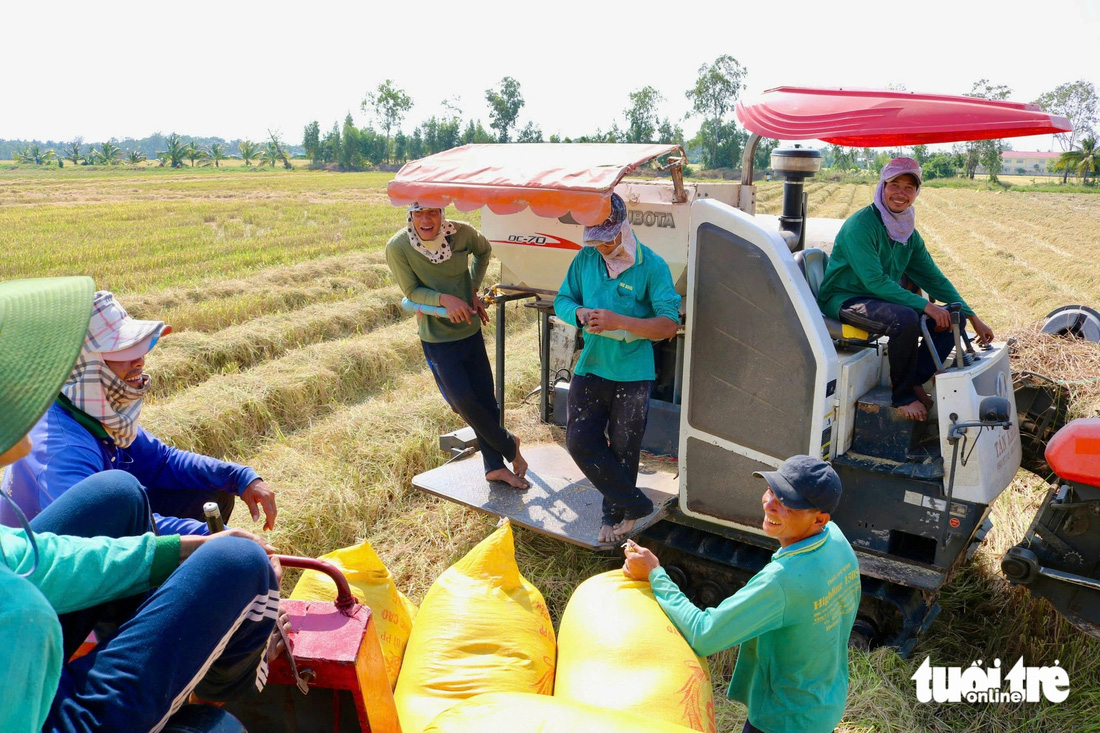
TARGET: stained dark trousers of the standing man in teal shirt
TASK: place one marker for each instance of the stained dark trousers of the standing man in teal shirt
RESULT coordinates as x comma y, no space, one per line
607,422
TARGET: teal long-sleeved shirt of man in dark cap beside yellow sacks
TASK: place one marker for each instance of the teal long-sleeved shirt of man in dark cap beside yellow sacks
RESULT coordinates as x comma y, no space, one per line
793,621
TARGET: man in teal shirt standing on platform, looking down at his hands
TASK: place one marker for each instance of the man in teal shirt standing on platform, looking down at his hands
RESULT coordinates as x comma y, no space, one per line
622,293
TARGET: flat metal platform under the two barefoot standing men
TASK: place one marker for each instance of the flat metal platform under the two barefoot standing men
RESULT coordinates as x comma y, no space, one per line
560,504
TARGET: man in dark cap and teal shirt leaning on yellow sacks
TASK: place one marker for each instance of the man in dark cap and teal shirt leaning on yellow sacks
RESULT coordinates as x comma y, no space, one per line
793,619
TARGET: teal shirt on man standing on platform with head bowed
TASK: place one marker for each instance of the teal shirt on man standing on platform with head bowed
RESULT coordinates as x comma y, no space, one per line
644,290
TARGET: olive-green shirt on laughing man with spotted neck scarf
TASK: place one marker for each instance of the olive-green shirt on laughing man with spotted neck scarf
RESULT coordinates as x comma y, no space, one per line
423,281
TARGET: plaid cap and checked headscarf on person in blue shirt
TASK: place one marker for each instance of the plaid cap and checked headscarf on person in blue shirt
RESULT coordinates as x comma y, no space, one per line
93,387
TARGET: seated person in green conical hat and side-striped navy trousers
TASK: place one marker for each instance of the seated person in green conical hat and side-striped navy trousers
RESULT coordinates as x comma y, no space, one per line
93,555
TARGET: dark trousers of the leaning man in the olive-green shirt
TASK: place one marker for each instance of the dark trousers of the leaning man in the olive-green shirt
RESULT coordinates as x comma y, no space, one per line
465,379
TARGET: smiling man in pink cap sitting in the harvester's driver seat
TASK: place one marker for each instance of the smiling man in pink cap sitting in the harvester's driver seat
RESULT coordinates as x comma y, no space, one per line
876,247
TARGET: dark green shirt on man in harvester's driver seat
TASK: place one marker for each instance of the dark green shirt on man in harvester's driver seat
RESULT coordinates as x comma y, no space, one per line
867,264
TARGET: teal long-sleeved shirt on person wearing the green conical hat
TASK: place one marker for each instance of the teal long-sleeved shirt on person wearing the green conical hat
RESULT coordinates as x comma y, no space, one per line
73,574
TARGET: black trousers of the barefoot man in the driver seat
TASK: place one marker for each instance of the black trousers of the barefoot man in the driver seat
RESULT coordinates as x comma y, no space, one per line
910,363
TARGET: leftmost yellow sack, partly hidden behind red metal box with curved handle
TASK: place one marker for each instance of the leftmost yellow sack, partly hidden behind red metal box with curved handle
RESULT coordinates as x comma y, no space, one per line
372,585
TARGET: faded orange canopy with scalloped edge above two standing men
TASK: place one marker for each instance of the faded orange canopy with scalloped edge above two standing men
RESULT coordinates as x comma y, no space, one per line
552,179
